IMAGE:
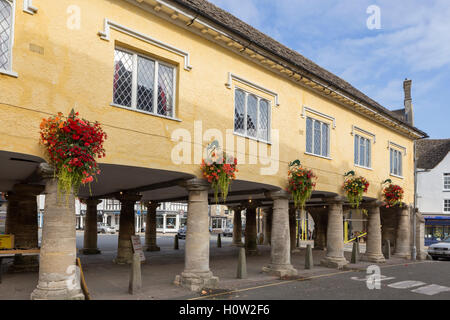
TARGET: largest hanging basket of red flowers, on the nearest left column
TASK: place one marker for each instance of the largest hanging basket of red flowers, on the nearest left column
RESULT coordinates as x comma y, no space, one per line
72,145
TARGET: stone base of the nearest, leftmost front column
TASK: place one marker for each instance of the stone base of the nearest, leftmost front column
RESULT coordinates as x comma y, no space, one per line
57,290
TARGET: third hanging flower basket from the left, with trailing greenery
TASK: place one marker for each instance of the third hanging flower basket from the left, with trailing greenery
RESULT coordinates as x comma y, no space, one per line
301,183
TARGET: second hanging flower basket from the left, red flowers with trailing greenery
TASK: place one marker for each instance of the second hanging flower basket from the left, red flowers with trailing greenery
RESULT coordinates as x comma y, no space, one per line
220,170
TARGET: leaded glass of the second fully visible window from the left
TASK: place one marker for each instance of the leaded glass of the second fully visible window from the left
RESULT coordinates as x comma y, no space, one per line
251,115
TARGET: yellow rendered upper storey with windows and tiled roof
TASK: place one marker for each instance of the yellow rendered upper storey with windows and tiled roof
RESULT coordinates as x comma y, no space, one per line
165,78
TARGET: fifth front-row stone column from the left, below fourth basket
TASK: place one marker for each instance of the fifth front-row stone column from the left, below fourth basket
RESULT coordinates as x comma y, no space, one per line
374,252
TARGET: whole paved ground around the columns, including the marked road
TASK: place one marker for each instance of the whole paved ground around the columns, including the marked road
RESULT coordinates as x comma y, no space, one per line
108,281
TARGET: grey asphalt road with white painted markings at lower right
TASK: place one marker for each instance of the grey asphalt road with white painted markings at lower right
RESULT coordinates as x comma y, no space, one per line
409,281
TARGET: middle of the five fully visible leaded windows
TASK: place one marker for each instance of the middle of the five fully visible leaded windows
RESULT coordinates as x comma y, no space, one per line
317,137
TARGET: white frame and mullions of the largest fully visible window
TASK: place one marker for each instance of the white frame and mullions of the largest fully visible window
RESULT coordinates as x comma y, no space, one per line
134,85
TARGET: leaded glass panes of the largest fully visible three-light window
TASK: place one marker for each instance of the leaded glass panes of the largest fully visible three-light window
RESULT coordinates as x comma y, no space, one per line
144,84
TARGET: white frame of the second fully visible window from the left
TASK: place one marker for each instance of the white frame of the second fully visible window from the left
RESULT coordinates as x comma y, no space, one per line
269,116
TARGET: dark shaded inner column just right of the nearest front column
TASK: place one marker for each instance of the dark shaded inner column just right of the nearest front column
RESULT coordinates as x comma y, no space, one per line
90,227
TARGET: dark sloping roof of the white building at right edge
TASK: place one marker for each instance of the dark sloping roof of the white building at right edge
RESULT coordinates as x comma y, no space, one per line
431,152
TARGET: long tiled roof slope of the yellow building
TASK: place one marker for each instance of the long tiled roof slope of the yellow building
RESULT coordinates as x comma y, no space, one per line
259,39
